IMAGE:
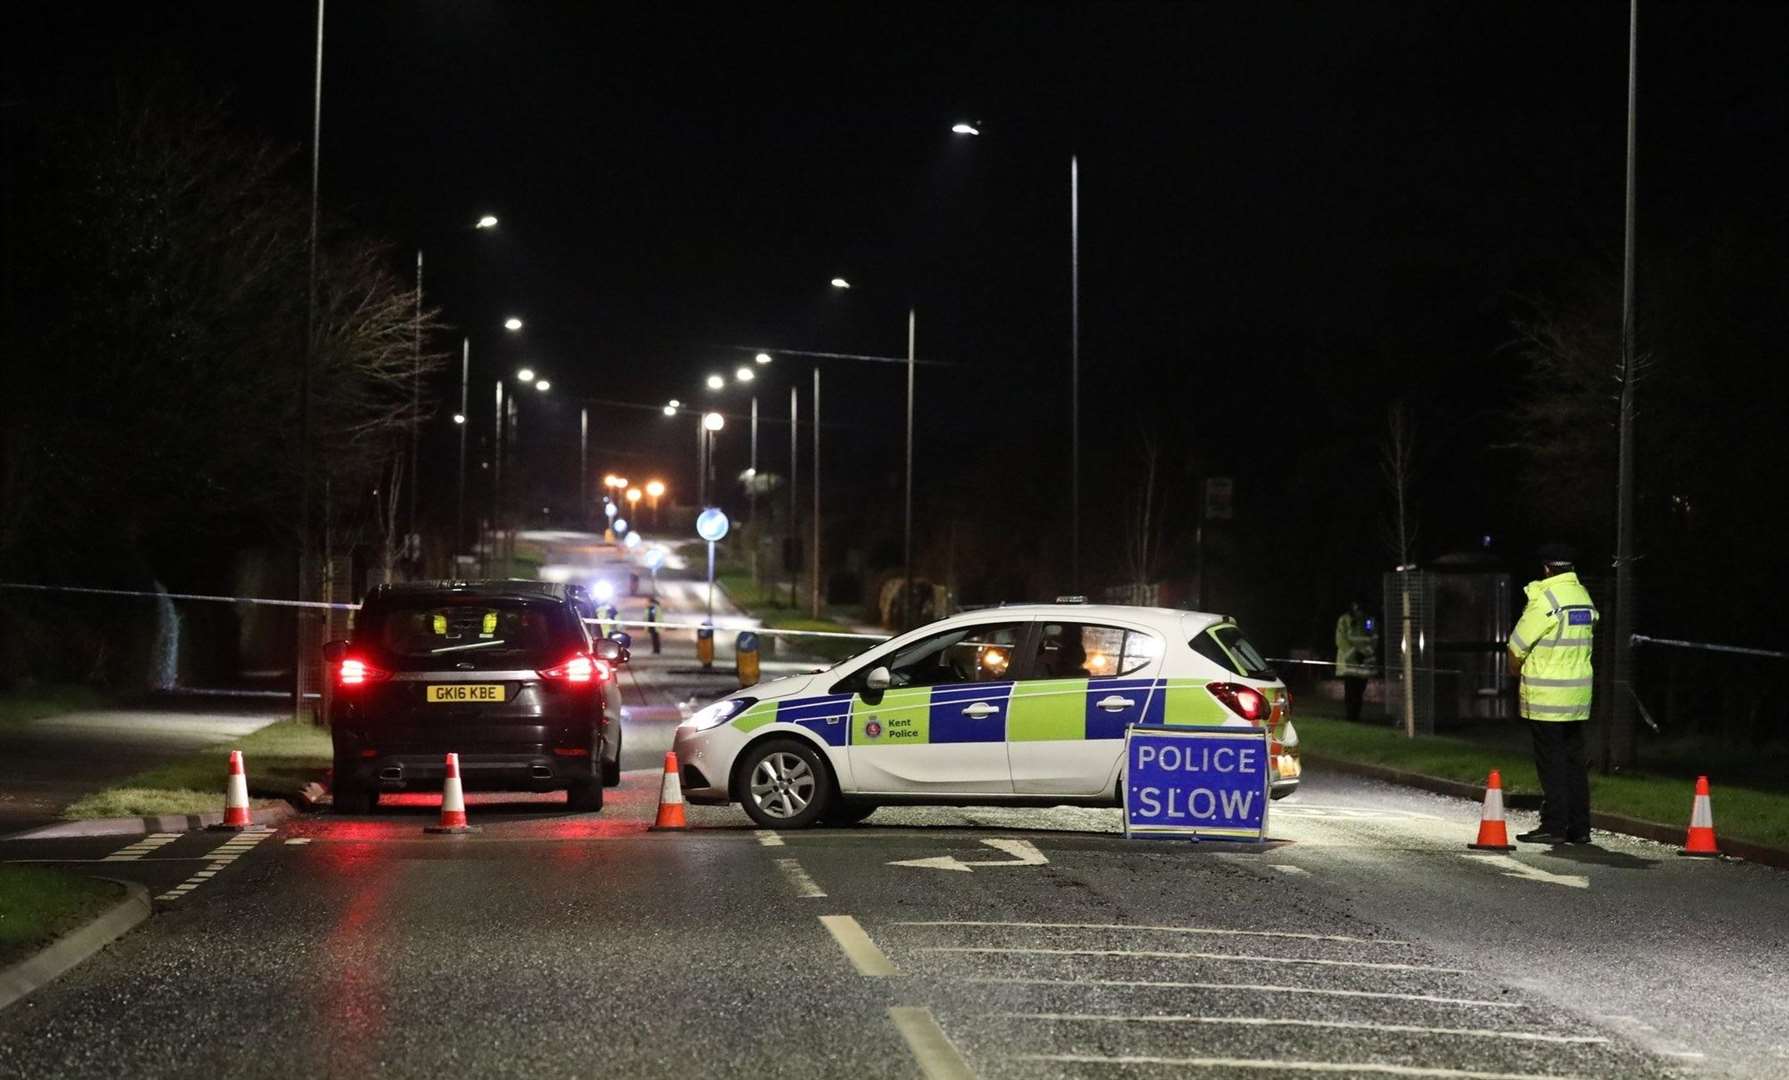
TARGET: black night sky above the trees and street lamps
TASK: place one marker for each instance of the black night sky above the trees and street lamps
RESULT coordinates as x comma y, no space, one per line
1291,214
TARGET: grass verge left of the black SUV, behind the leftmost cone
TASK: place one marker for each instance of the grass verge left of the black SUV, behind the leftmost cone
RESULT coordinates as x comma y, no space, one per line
282,759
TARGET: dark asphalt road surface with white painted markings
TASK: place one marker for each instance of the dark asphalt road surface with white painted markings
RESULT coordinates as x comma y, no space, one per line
1362,941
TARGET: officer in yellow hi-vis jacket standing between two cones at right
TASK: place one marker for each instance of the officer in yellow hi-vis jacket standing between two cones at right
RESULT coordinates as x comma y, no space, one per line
1550,648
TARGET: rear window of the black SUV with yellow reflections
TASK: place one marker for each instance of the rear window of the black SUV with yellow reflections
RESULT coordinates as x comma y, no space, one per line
488,632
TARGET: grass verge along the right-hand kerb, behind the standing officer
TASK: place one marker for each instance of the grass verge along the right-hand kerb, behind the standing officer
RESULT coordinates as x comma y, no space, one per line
1740,813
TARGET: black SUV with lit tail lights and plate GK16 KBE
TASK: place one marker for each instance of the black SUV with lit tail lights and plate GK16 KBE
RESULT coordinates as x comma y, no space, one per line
504,673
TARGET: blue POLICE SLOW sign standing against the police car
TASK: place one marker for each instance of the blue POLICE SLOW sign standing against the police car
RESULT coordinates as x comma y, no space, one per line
1196,782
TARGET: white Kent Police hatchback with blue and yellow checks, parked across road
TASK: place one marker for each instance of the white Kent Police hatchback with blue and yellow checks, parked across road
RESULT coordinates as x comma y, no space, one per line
1017,705
